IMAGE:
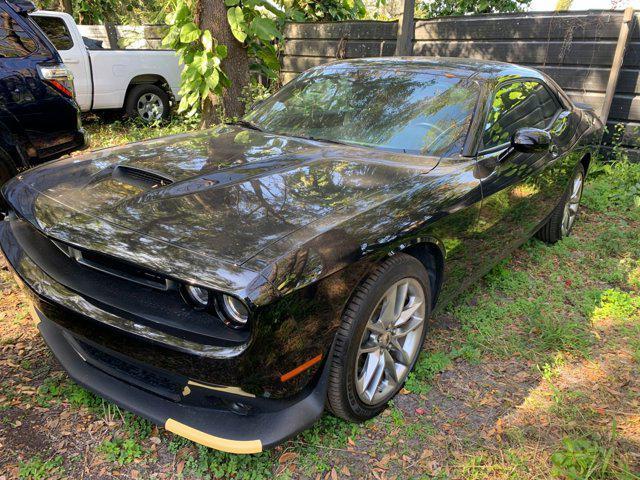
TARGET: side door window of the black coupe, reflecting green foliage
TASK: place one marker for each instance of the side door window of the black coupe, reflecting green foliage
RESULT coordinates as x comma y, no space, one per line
516,105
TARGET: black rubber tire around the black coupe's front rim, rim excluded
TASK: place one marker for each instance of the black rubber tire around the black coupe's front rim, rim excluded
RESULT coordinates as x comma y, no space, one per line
342,397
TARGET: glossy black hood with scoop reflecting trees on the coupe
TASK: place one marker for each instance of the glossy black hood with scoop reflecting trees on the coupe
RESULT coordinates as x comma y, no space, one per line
226,193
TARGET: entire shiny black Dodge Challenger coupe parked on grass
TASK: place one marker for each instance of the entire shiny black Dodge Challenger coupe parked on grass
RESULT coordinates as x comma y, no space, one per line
230,284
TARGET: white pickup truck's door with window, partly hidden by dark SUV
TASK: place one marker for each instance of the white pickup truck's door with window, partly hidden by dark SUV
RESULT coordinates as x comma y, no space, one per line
74,55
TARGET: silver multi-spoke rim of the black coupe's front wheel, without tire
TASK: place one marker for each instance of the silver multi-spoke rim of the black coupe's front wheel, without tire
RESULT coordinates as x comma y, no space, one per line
390,342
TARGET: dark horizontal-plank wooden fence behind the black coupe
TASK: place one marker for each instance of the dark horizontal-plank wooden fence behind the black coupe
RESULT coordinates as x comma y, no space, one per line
574,48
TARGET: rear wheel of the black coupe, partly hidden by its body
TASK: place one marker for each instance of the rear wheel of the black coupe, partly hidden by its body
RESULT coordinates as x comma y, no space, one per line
563,217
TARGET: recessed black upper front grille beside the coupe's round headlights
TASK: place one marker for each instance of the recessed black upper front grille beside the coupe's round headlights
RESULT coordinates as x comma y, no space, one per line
124,290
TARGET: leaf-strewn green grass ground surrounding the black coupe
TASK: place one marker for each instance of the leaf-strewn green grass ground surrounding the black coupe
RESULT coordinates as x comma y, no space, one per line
538,378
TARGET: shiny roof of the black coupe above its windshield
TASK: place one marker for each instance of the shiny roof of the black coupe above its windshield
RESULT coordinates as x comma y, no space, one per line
461,67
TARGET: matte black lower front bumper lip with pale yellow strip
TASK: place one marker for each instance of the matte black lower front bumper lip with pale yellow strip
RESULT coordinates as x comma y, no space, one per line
227,429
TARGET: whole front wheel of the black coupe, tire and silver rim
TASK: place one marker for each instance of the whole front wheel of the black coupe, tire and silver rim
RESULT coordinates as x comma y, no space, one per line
379,339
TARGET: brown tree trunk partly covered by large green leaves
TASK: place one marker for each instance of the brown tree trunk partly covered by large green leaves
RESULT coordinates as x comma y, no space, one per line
212,15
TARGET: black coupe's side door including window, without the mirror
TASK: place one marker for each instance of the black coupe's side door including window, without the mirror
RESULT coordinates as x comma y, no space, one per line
520,189
